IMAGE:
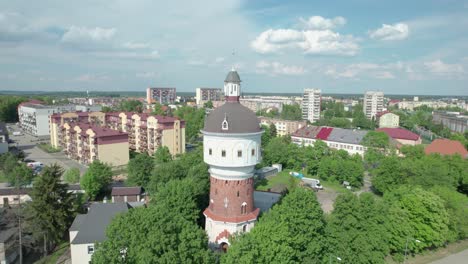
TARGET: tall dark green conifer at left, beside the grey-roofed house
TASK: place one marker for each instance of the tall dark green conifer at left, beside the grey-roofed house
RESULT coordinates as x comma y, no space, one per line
51,207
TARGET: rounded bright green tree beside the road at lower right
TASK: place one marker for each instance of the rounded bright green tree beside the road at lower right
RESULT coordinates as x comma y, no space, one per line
416,214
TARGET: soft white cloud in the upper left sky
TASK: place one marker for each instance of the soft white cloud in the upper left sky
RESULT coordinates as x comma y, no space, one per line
82,34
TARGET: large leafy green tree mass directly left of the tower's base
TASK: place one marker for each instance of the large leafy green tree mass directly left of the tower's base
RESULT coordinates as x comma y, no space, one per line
172,235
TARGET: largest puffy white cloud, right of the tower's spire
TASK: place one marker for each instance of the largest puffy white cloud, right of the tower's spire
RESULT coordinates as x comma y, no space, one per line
309,41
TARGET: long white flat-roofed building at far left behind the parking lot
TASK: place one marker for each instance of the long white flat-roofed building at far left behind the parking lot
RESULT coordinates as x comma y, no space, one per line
34,117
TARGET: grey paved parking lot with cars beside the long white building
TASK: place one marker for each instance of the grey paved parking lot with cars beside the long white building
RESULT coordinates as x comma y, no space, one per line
28,144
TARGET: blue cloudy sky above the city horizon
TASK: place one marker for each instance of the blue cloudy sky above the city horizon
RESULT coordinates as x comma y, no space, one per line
399,47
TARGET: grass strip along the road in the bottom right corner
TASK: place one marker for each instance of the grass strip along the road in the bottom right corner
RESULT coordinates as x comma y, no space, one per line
433,255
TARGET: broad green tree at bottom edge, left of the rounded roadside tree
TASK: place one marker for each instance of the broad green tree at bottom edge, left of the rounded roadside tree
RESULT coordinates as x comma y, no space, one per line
356,229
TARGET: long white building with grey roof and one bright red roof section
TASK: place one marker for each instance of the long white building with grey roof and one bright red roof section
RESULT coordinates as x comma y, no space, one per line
336,138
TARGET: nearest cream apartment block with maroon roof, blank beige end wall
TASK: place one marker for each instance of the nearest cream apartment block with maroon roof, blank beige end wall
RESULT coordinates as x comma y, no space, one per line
85,143
